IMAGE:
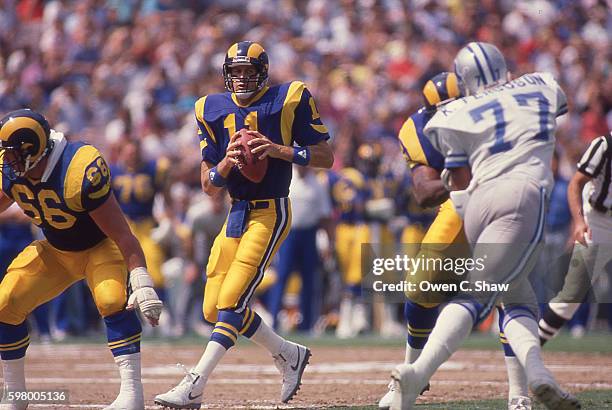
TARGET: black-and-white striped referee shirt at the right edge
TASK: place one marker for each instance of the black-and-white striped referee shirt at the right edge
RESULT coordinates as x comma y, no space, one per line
597,164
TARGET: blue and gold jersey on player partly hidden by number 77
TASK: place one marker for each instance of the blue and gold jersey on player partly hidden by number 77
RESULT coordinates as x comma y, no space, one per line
415,146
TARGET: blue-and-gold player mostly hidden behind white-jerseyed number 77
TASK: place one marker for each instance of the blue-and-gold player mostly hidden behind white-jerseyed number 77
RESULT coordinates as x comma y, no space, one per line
445,237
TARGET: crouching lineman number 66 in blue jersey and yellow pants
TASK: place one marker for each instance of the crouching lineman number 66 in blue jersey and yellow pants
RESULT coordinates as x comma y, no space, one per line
64,187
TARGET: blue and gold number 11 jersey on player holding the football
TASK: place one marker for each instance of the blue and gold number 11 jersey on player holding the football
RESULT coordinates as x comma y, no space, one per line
285,113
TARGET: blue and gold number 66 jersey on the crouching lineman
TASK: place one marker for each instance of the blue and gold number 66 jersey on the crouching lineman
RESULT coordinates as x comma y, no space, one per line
60,206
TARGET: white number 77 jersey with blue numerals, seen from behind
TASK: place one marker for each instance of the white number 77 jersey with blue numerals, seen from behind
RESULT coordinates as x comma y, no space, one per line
506,128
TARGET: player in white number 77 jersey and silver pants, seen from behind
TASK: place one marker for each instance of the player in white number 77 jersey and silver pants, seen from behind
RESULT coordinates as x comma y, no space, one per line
501,136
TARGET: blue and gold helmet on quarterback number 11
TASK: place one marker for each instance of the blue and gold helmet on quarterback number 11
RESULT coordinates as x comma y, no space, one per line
246,53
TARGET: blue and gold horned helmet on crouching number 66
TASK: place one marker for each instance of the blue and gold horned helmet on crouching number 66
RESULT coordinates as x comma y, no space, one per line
24,141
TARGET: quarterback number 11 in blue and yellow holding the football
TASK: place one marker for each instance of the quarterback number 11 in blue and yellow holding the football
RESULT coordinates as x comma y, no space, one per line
287,128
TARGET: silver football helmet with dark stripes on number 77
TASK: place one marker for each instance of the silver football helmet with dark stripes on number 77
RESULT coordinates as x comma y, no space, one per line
479,66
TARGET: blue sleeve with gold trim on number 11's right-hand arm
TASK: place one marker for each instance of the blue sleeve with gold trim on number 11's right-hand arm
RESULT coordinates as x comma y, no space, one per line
308,129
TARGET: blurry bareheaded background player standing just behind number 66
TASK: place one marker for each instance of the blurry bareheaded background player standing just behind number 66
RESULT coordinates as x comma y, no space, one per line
135,183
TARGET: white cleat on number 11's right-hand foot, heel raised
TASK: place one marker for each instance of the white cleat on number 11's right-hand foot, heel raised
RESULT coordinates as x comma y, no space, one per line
291,362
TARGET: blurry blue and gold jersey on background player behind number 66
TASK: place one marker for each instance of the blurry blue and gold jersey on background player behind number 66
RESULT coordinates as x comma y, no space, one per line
135,189
